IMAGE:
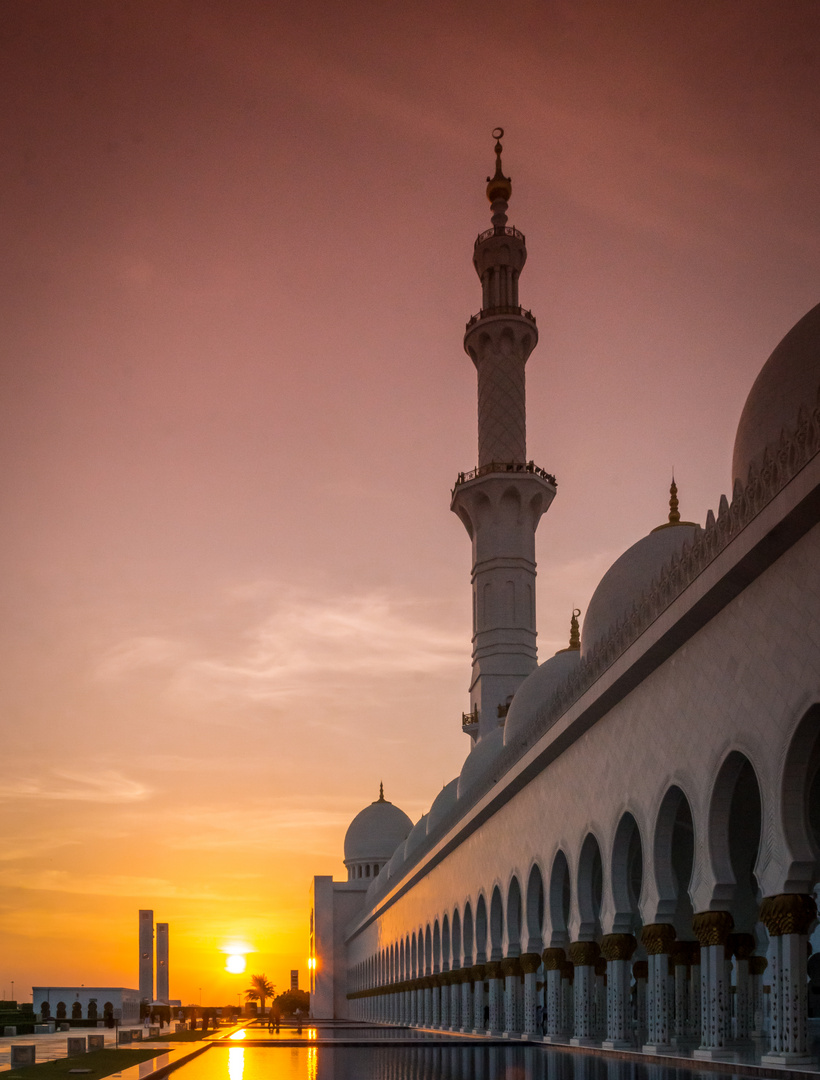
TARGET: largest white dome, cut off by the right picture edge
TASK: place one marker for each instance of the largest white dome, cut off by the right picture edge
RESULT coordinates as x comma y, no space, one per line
789,379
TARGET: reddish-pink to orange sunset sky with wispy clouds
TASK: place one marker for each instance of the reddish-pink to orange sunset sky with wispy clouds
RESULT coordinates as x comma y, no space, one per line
236,269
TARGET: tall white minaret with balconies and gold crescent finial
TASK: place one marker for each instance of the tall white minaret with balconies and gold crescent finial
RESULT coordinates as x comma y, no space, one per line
502,502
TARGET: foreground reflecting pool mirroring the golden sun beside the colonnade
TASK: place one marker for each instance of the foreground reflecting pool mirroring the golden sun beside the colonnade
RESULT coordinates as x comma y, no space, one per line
442,1062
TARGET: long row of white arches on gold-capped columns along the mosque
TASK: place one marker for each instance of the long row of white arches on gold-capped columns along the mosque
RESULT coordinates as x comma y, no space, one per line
528,955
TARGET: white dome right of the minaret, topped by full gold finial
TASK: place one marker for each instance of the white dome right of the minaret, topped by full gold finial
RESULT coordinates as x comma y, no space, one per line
629,577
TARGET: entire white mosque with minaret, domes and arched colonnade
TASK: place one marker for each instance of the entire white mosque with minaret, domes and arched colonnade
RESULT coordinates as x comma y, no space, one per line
629,856
